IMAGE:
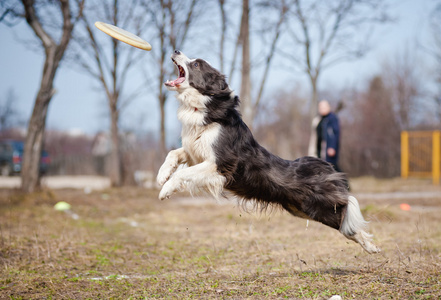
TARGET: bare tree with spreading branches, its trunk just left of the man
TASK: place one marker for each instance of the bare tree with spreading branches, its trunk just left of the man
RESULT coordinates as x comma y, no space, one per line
329,32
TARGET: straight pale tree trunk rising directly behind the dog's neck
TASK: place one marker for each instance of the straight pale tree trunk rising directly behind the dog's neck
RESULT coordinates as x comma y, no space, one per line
245,87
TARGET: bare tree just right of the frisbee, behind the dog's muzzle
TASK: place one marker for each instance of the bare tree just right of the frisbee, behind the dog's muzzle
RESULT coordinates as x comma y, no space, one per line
171,22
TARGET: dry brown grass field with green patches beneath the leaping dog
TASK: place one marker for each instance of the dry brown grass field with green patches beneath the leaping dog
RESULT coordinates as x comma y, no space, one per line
126,244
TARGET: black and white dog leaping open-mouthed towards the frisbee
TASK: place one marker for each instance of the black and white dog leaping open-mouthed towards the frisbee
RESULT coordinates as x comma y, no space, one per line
221,154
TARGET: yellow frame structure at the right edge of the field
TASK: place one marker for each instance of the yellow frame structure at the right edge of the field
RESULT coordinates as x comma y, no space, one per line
421,154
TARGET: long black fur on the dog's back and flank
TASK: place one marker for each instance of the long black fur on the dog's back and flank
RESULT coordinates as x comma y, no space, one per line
306,185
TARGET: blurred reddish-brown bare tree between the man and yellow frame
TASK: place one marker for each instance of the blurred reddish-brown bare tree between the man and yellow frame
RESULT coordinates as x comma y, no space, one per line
372,145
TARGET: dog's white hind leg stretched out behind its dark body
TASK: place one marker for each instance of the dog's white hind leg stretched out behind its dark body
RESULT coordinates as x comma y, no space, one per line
353,225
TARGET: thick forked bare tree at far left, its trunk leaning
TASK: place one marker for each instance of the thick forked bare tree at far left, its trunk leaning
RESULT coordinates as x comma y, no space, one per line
42,17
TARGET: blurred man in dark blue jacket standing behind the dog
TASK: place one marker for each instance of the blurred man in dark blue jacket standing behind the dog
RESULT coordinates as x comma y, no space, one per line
328,135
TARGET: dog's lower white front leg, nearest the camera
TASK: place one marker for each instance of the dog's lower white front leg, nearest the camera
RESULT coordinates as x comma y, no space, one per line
203,176
